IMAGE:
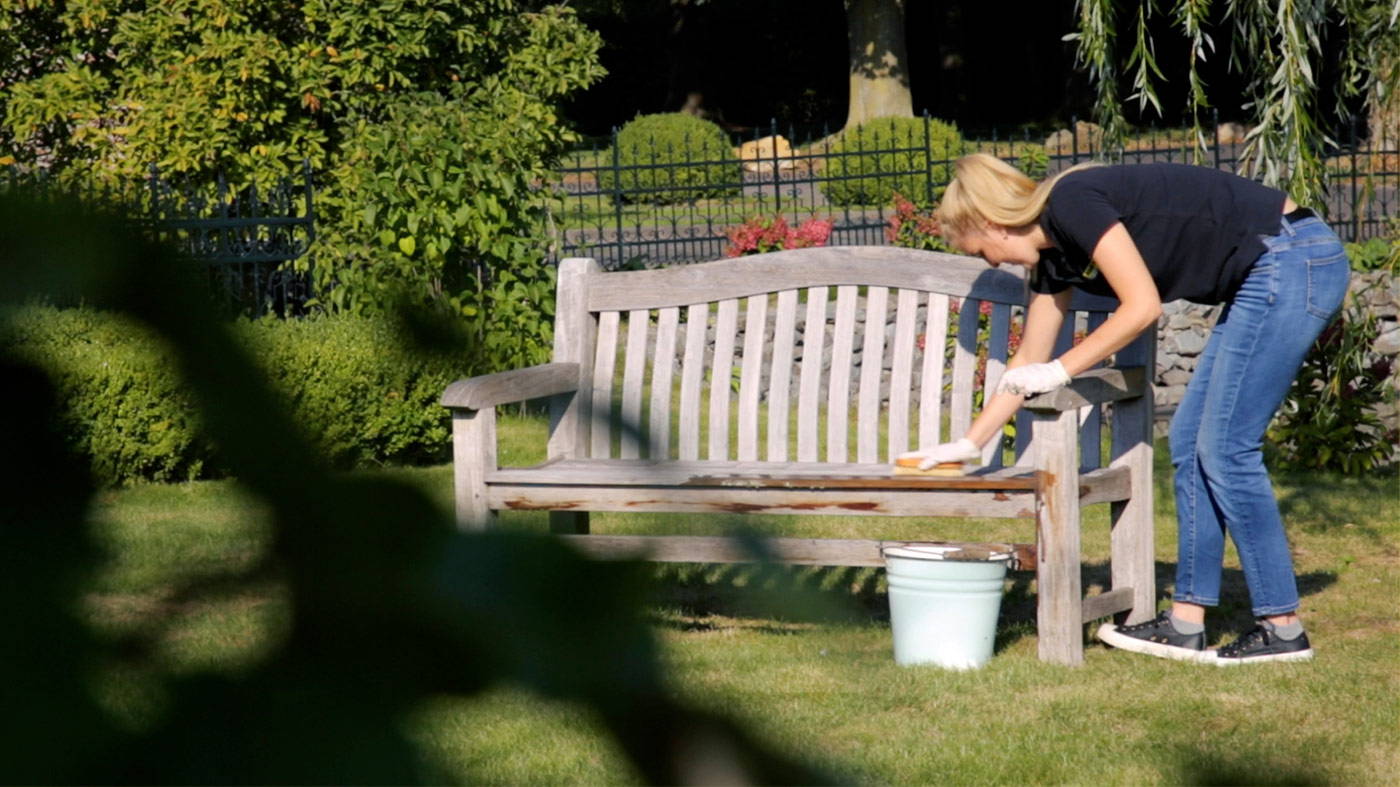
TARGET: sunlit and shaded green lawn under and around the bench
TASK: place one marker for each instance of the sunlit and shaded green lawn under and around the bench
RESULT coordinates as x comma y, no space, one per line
820,680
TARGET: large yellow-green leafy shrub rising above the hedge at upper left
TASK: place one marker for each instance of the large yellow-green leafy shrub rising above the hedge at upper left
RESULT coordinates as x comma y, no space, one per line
428,121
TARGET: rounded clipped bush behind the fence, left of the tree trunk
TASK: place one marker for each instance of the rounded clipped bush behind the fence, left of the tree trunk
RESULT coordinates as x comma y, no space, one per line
671,158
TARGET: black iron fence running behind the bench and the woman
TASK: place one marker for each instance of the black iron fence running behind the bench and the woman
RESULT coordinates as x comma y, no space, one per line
650,212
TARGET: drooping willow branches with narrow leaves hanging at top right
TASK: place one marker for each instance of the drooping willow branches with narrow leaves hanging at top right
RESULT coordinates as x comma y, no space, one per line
1279,47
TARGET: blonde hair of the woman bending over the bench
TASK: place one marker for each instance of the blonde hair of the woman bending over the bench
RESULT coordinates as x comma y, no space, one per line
986,188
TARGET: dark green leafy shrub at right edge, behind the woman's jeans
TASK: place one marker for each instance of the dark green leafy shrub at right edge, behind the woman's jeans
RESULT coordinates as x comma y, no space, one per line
1329,421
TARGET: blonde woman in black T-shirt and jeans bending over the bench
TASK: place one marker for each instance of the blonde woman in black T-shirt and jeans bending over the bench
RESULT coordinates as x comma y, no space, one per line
1147,235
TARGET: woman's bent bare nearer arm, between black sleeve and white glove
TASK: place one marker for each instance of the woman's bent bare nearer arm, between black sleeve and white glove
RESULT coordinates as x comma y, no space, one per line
1140,305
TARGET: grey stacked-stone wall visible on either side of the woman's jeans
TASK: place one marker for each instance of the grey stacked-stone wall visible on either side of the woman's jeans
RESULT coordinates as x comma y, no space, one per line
1185,327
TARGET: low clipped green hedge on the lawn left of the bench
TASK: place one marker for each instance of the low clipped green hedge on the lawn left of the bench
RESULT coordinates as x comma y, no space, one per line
360,398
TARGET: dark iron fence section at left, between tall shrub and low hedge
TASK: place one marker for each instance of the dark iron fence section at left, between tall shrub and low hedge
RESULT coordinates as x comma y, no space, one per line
244,237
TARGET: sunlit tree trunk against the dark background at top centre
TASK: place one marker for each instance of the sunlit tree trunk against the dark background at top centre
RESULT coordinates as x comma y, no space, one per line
880,64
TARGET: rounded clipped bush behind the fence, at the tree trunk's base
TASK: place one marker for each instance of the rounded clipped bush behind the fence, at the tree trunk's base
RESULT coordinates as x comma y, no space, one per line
860,170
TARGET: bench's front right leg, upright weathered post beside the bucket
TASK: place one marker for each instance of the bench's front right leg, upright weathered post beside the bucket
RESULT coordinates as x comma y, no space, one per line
1059,587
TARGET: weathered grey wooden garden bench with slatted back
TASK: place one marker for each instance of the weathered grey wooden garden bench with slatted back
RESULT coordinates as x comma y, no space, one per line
583,475
